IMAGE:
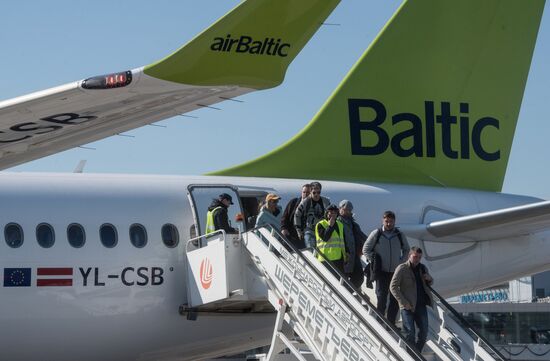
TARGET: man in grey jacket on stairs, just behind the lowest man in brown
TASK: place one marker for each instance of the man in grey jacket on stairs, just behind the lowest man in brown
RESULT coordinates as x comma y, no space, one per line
388,247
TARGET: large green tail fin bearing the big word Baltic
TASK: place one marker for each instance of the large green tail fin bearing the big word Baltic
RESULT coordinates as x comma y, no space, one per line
433,101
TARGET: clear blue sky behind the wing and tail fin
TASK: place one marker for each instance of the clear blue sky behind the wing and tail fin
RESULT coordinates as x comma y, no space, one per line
48,43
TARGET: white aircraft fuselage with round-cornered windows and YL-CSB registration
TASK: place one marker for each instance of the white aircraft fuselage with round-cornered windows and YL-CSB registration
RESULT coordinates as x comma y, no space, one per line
123,302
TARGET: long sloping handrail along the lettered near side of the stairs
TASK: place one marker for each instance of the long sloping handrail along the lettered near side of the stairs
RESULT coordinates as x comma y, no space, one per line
343,280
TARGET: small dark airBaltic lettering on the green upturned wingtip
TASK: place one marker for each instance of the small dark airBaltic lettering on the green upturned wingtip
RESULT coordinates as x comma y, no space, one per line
246,44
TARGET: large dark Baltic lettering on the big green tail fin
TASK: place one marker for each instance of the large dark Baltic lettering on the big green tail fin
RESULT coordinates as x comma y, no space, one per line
421,131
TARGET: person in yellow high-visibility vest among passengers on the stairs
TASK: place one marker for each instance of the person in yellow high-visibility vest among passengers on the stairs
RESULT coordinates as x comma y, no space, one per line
329,235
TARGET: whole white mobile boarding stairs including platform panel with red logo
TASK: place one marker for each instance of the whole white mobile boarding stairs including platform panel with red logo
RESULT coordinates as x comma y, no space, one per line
328,318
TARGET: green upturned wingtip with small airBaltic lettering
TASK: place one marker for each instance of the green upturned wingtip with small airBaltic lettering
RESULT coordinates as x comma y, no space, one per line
251,46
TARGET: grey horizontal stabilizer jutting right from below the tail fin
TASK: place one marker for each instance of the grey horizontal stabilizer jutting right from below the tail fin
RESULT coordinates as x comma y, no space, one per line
499,224
